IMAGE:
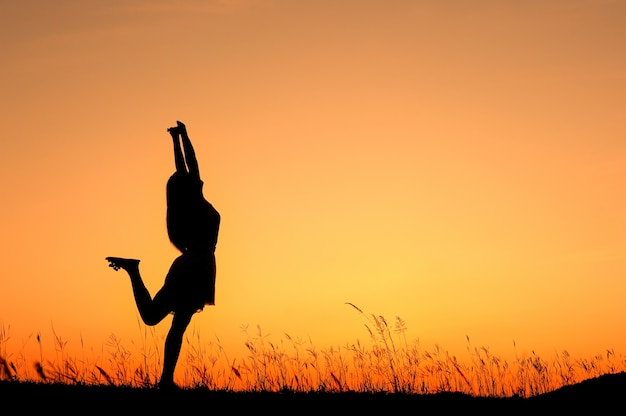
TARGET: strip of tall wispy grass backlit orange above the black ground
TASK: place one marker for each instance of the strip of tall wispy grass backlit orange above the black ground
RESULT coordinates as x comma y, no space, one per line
387,362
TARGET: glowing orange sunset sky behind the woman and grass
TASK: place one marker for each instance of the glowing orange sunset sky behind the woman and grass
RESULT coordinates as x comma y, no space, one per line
459,164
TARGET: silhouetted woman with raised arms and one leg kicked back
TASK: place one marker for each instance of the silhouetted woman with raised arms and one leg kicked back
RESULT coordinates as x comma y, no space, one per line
192,226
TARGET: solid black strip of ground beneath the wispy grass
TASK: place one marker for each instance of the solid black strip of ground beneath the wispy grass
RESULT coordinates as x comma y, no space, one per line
602,395
